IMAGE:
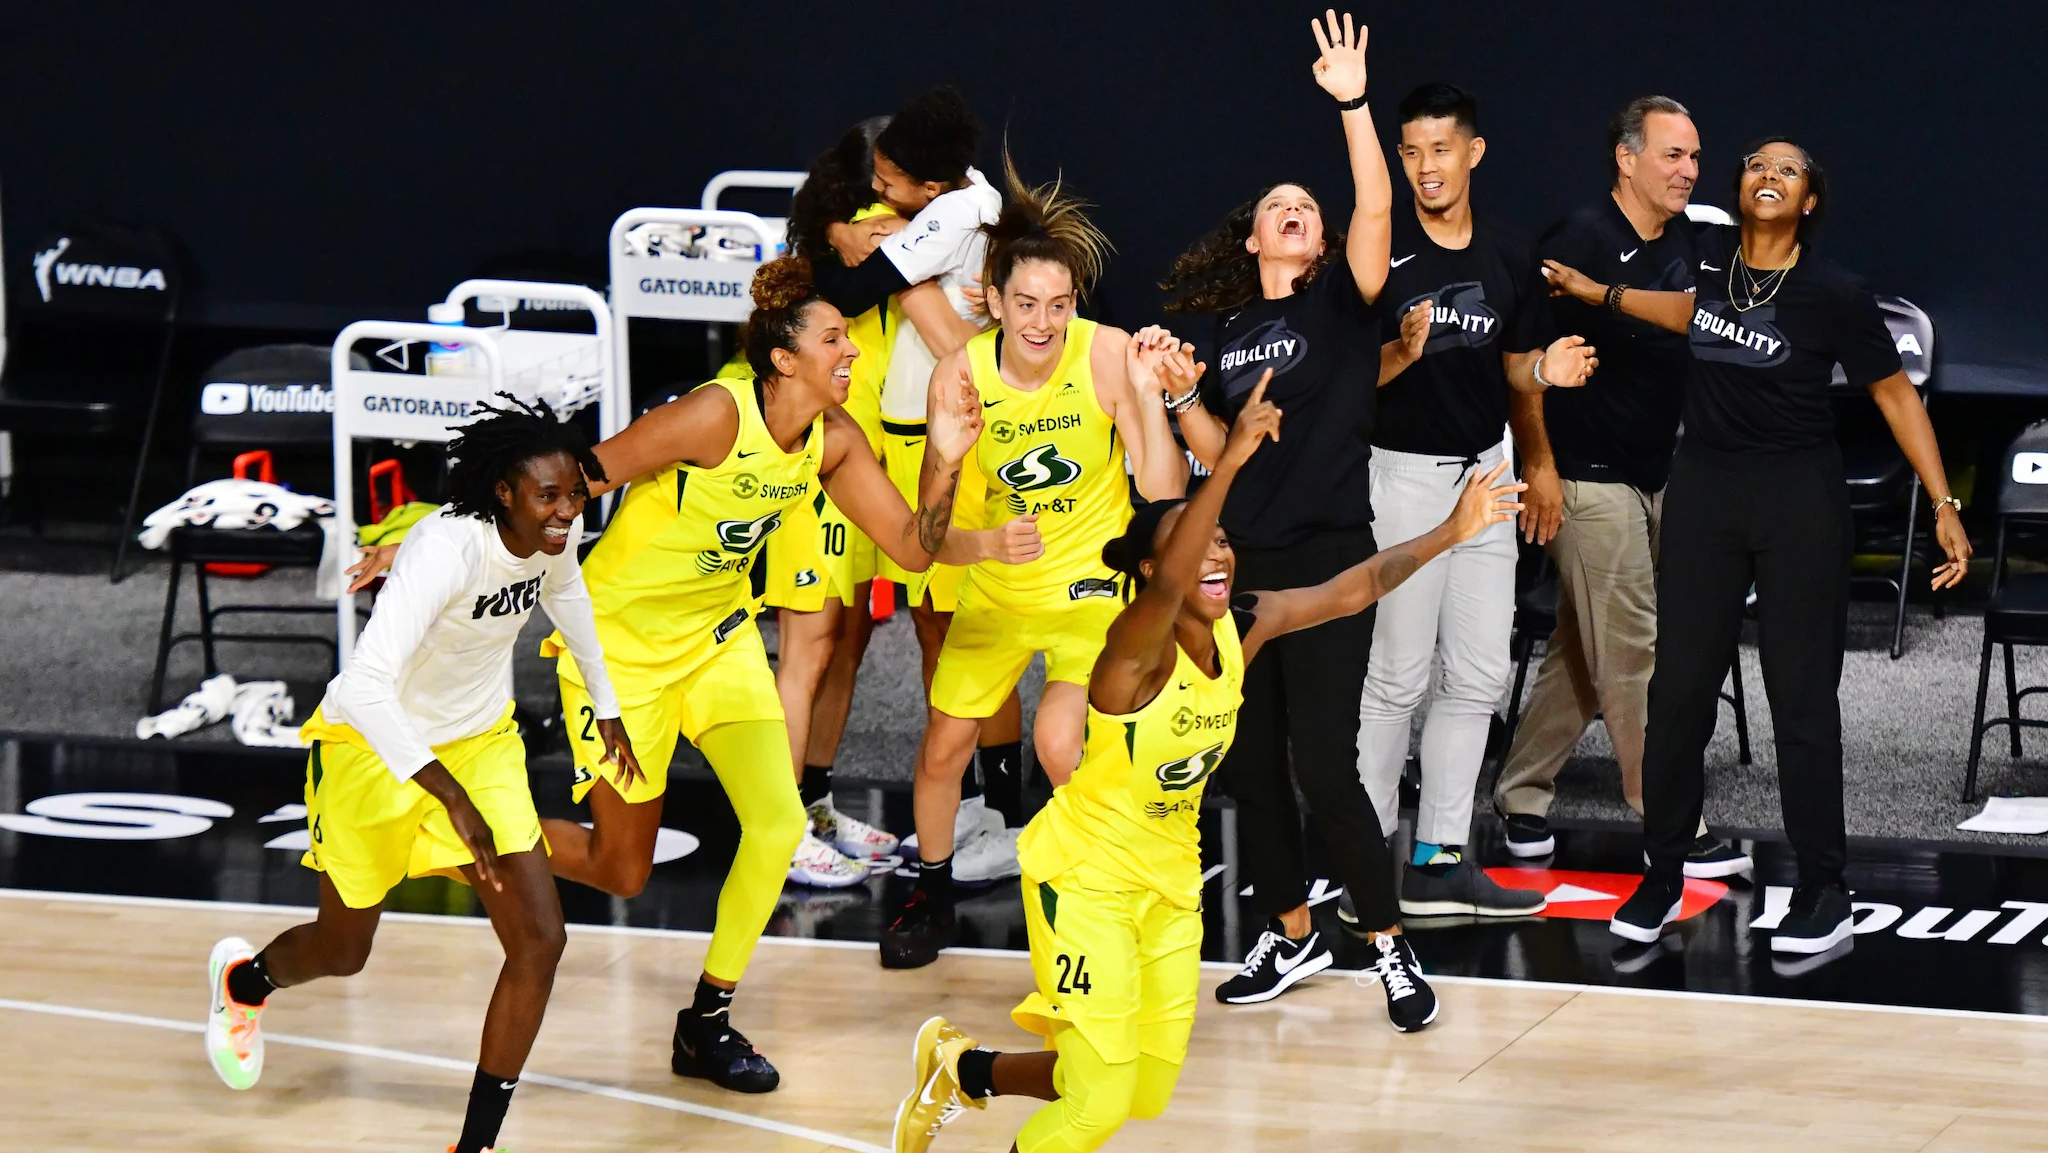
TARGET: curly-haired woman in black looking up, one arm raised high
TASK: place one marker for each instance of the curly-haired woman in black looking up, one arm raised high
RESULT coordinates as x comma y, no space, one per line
1299,298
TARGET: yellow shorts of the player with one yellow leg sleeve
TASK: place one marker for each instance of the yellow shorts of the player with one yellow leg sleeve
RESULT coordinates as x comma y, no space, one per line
728,683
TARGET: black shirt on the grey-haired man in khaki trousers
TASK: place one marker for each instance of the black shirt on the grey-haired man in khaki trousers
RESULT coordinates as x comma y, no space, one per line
1623,425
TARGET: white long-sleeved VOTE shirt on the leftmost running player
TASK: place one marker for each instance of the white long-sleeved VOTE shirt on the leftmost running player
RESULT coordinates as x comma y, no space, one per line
435,663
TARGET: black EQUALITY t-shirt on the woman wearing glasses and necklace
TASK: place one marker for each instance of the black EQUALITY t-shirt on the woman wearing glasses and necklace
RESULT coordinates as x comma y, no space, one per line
1760,376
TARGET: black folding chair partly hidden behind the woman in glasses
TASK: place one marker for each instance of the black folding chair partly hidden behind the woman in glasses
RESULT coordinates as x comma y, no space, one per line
1877,470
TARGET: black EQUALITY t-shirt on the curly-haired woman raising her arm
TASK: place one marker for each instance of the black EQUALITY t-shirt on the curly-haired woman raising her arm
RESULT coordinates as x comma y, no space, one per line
1324,347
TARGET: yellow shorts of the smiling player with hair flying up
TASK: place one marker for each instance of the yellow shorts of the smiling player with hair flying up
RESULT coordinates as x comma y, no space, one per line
988,648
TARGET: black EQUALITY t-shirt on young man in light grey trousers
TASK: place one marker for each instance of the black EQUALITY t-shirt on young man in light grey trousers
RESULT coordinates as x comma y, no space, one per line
1490,300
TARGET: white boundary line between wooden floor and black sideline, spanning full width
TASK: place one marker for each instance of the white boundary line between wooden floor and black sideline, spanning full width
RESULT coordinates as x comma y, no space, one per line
1021,955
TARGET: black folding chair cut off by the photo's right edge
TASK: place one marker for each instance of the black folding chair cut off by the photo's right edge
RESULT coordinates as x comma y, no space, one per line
2018,611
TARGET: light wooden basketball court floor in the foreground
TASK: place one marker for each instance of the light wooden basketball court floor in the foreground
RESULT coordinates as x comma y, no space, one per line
103,998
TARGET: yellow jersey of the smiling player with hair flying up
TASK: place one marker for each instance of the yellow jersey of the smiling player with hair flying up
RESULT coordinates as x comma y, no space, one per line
1050,452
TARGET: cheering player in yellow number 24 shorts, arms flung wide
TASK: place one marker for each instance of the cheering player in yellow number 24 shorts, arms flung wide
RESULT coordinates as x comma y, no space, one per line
1113,876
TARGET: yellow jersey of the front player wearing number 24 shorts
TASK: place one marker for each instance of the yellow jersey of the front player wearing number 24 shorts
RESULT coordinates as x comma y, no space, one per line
1132,812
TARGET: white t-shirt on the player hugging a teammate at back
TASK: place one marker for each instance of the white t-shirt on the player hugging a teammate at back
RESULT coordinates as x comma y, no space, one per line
943,245
